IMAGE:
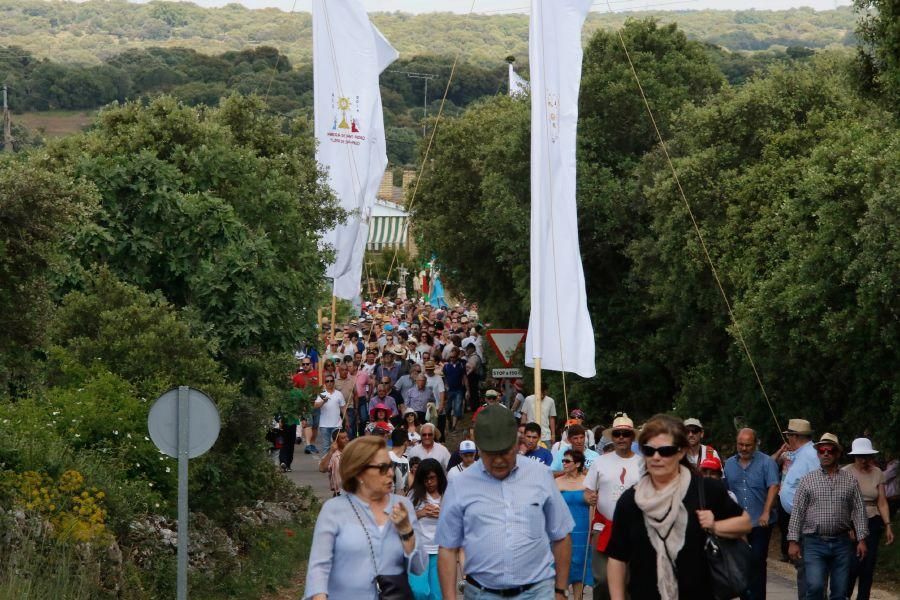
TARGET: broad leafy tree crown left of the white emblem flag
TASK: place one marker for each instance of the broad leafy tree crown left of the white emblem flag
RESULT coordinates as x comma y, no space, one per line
217,209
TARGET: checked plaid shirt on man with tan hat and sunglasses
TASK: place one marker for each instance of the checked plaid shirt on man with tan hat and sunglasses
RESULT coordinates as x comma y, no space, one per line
828,505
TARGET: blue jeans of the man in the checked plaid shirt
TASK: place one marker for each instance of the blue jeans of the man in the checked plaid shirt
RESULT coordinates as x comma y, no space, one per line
824,558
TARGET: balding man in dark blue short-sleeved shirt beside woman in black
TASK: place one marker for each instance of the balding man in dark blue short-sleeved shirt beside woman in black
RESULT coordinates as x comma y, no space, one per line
752,476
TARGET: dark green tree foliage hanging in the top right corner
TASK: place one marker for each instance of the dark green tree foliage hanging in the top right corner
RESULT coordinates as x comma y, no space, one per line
879,49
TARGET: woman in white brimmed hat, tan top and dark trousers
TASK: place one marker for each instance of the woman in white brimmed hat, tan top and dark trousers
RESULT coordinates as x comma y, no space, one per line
871,486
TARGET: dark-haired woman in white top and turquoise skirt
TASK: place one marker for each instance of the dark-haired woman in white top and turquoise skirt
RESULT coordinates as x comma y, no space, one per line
426,494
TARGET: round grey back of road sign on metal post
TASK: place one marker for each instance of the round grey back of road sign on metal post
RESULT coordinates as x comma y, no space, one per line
203,422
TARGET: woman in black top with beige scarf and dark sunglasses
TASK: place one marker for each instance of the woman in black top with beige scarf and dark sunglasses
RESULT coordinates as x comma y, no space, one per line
658,531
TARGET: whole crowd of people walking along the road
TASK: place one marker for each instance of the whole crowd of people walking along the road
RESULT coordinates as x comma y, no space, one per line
526,505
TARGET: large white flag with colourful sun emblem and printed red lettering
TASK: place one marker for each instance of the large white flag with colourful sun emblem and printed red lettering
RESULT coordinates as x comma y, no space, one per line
348,55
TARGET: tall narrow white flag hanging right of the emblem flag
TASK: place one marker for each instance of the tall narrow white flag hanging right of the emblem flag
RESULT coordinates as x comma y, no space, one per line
559,331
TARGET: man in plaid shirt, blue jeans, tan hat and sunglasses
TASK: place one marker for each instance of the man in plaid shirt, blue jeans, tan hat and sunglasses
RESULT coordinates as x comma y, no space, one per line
827,519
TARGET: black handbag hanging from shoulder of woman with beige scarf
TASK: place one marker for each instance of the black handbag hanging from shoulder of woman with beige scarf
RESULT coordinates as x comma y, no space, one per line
730,561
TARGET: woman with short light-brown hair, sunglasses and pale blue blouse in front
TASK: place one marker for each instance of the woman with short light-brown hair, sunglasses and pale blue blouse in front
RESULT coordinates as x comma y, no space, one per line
364,533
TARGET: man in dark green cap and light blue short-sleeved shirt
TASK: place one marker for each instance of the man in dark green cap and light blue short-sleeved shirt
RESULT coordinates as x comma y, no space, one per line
506,513
